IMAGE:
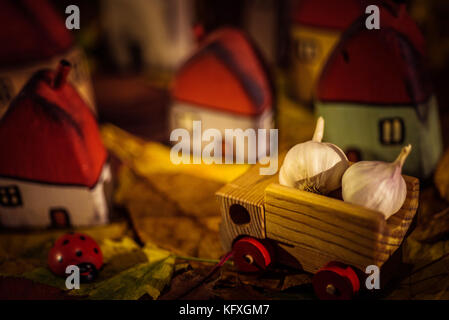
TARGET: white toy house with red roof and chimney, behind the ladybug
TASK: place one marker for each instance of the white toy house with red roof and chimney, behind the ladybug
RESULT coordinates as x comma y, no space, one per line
53,166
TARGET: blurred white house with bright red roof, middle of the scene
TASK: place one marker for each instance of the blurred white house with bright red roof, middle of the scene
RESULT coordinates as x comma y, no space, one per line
225,85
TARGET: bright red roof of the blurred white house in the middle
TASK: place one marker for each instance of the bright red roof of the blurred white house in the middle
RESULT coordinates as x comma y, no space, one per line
225,74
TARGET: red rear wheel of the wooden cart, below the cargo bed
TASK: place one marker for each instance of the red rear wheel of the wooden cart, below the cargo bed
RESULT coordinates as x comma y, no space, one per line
336,281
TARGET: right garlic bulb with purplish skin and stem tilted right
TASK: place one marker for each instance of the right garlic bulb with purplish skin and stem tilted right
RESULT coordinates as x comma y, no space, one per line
377,185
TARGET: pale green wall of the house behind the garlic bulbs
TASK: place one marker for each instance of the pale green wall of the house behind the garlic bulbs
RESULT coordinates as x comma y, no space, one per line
357,126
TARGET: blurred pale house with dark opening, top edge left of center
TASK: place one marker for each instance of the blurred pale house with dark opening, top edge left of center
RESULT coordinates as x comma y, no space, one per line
155,34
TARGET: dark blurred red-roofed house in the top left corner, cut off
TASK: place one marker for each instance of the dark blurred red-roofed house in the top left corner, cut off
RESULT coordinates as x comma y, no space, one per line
34,37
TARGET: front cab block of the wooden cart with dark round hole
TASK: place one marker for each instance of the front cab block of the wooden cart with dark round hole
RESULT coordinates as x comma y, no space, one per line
244,193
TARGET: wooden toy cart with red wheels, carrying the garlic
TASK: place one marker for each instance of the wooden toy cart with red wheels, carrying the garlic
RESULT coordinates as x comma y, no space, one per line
264,222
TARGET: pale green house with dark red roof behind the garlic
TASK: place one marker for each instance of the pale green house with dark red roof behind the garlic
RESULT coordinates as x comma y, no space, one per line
375,96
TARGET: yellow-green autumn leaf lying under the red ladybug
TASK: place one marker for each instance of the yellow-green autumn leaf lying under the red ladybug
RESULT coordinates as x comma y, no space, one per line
129,272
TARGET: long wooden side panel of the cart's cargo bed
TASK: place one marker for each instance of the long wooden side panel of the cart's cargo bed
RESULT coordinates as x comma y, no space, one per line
317,229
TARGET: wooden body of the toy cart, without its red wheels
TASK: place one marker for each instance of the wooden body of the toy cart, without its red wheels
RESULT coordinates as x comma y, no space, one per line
310,229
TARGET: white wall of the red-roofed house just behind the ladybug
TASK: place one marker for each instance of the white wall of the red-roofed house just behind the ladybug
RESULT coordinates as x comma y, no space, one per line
85,206
